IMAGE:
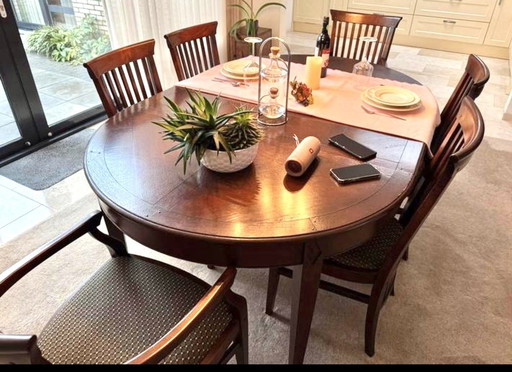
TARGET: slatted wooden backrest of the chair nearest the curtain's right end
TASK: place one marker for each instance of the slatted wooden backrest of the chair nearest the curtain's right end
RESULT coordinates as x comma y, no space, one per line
193,49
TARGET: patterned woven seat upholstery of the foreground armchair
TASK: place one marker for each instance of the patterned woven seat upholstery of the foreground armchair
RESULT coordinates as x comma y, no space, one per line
126,306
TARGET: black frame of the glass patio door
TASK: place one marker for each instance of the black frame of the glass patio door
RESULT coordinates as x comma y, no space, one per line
20,89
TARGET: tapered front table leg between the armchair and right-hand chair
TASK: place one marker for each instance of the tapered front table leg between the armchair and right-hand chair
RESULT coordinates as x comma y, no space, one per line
306,280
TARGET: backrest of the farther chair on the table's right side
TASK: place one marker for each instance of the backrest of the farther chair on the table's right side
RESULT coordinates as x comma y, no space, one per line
470,84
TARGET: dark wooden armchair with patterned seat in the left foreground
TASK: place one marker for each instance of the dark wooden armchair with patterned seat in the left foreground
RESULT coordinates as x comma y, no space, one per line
131,310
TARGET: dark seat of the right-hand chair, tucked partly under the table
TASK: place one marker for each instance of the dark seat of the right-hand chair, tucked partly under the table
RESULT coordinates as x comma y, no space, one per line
371,255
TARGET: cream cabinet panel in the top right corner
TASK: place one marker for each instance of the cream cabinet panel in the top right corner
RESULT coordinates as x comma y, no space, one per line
500,27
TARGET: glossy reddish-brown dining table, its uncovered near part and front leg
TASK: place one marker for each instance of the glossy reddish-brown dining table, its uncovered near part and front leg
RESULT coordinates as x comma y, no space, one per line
258,217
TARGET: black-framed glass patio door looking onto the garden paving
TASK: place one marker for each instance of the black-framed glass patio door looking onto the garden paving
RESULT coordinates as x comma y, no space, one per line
46,93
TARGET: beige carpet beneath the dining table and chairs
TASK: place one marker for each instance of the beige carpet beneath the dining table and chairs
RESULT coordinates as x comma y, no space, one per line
453,300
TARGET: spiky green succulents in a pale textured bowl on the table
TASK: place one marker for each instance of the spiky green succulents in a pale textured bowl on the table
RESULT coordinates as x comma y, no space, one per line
223,143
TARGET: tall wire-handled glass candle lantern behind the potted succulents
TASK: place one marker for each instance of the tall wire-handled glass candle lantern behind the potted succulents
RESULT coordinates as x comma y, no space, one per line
273,87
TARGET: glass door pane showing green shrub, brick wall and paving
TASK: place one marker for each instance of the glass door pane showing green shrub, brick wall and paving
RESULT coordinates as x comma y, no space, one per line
68,33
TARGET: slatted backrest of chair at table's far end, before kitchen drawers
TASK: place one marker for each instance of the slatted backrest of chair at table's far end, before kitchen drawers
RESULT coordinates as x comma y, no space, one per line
349,27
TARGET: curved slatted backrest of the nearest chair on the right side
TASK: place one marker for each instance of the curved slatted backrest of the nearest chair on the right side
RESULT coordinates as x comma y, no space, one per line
458,145
